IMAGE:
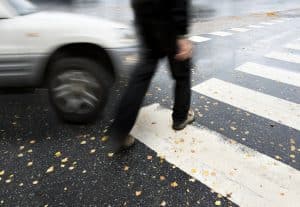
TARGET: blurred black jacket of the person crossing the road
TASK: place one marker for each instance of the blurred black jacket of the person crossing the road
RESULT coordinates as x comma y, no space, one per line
160,22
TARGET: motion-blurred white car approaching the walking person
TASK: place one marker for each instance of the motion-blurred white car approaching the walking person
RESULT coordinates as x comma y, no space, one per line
76,57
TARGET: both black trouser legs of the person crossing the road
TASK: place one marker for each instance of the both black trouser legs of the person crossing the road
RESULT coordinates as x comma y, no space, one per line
138,85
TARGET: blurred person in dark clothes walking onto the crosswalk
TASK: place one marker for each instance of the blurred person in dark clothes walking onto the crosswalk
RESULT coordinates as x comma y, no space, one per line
162,26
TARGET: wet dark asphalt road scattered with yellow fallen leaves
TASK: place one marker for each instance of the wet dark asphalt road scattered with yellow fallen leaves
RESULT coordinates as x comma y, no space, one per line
45,162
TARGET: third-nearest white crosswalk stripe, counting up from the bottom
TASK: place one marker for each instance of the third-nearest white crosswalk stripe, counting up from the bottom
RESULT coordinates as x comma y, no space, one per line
272,73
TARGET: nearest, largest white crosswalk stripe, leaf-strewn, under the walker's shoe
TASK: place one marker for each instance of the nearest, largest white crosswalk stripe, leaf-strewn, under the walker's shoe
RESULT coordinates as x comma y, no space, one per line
250,178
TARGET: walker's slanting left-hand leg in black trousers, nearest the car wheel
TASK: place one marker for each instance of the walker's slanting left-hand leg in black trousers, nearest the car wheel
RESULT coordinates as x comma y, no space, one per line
133,97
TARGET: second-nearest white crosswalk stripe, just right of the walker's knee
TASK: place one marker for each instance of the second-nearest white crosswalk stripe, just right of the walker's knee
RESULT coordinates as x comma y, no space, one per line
270,107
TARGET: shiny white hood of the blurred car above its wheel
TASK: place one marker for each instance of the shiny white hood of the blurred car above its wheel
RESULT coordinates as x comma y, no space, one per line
75,25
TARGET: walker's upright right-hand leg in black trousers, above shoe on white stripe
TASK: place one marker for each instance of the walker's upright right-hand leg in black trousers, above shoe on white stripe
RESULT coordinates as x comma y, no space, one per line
181,72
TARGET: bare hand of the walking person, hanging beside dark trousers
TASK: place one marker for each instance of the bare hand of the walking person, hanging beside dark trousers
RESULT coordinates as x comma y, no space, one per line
185,49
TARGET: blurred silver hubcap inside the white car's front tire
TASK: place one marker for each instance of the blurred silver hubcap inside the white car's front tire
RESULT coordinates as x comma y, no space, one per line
76,92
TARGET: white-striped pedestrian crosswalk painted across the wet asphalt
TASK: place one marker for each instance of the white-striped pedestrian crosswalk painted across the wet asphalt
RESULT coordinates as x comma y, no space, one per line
245,176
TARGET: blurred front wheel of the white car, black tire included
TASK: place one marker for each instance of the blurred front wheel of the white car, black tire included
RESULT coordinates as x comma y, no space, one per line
78,89
